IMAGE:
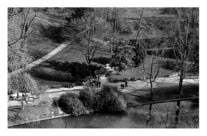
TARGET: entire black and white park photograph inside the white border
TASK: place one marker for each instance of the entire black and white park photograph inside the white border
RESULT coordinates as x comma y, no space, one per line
103,67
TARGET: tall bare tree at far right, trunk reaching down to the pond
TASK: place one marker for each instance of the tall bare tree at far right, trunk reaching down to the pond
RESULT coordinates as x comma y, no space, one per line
186,40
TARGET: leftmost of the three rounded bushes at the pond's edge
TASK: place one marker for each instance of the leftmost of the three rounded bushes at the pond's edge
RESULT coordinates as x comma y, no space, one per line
70,104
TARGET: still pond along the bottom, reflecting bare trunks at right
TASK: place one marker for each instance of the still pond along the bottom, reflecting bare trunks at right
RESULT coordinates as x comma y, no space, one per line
133,118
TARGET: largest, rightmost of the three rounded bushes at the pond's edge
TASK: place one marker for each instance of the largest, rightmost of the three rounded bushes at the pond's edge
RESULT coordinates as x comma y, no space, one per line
109,100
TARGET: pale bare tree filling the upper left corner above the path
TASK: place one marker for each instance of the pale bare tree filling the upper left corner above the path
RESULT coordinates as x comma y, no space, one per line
20,22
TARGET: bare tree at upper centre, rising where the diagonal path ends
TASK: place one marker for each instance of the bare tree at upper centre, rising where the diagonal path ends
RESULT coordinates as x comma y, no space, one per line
91,41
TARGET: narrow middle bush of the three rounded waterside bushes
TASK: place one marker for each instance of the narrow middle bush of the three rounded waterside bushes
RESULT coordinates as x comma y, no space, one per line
87,97
